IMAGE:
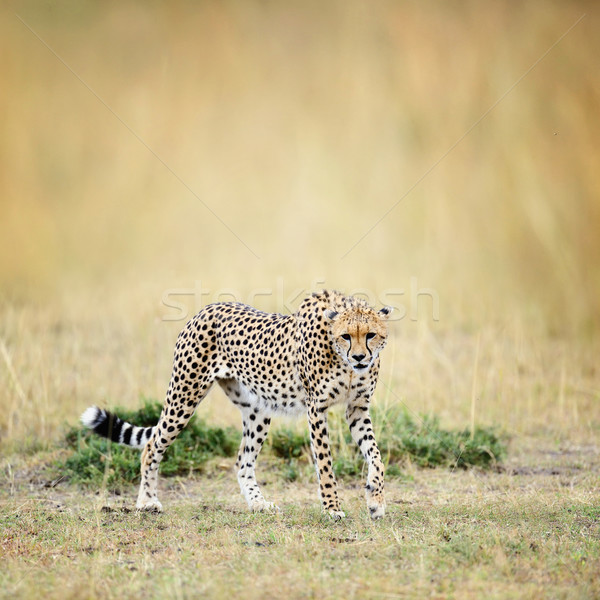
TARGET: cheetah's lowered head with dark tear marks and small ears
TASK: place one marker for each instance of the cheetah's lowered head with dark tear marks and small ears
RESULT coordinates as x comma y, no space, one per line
359,334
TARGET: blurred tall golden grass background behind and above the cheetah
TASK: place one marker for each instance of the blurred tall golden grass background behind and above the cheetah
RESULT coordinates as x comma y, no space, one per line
300,125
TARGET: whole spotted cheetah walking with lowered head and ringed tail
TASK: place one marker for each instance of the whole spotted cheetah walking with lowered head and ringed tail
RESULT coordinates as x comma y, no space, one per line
324,354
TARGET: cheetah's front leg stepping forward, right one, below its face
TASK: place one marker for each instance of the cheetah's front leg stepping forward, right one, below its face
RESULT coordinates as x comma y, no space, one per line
361,429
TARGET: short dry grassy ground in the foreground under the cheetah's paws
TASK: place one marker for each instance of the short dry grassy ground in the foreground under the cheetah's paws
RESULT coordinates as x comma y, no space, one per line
446,534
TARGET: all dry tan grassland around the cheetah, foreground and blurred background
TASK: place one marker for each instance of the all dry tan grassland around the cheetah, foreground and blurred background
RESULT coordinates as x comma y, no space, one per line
308,137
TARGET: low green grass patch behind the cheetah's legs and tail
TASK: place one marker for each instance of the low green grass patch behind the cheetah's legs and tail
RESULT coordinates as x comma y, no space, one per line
401,438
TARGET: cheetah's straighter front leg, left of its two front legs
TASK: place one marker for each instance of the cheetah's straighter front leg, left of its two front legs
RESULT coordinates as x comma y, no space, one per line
321,451
